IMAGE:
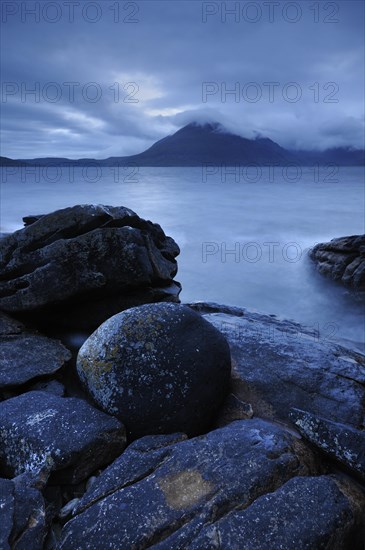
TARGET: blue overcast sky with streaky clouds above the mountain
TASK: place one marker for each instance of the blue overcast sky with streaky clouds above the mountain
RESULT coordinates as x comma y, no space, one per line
108,78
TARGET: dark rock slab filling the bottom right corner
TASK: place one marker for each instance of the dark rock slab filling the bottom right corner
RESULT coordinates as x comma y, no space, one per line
306,513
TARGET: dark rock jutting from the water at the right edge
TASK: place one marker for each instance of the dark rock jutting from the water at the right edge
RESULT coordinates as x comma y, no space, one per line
343,260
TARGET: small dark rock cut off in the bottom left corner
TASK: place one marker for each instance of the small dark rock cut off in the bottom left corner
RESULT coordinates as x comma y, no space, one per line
22,516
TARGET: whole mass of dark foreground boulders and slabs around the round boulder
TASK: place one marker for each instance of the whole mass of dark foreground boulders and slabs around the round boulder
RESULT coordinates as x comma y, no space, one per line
268,442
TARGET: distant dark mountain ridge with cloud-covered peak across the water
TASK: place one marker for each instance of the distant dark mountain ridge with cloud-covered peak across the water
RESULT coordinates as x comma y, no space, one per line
202,144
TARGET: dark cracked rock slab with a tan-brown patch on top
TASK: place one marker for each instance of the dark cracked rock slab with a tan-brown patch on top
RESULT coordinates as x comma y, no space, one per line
175,491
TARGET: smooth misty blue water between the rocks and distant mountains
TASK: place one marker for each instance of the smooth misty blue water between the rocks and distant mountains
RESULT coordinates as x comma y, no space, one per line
210,214
